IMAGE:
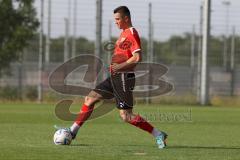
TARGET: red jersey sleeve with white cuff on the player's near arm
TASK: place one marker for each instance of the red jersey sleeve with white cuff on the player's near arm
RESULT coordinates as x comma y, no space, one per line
136,43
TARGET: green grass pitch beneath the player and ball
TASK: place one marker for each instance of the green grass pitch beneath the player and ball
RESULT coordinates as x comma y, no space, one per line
210,133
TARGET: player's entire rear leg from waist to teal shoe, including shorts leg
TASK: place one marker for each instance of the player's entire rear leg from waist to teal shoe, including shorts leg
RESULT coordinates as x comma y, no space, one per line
123,85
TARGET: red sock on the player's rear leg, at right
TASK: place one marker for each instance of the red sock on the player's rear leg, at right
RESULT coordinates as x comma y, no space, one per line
139,122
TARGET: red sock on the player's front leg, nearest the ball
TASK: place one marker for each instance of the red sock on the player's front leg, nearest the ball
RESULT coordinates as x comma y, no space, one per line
84,114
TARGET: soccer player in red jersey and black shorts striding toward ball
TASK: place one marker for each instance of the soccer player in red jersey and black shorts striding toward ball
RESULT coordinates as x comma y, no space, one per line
119,85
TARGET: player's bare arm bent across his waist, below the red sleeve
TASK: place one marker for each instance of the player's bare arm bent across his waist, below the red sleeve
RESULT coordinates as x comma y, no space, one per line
130,63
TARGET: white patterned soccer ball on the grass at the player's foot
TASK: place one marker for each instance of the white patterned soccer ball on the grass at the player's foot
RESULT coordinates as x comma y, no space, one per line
62,137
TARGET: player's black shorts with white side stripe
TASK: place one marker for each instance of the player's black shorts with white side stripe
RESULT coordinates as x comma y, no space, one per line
119,86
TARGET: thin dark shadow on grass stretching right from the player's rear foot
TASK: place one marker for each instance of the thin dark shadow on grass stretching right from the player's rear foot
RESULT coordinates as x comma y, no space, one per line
202,147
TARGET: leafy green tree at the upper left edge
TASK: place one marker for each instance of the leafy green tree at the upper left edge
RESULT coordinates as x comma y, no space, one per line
17,27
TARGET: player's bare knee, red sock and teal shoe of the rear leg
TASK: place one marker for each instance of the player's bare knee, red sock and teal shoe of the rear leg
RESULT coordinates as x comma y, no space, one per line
128,116
